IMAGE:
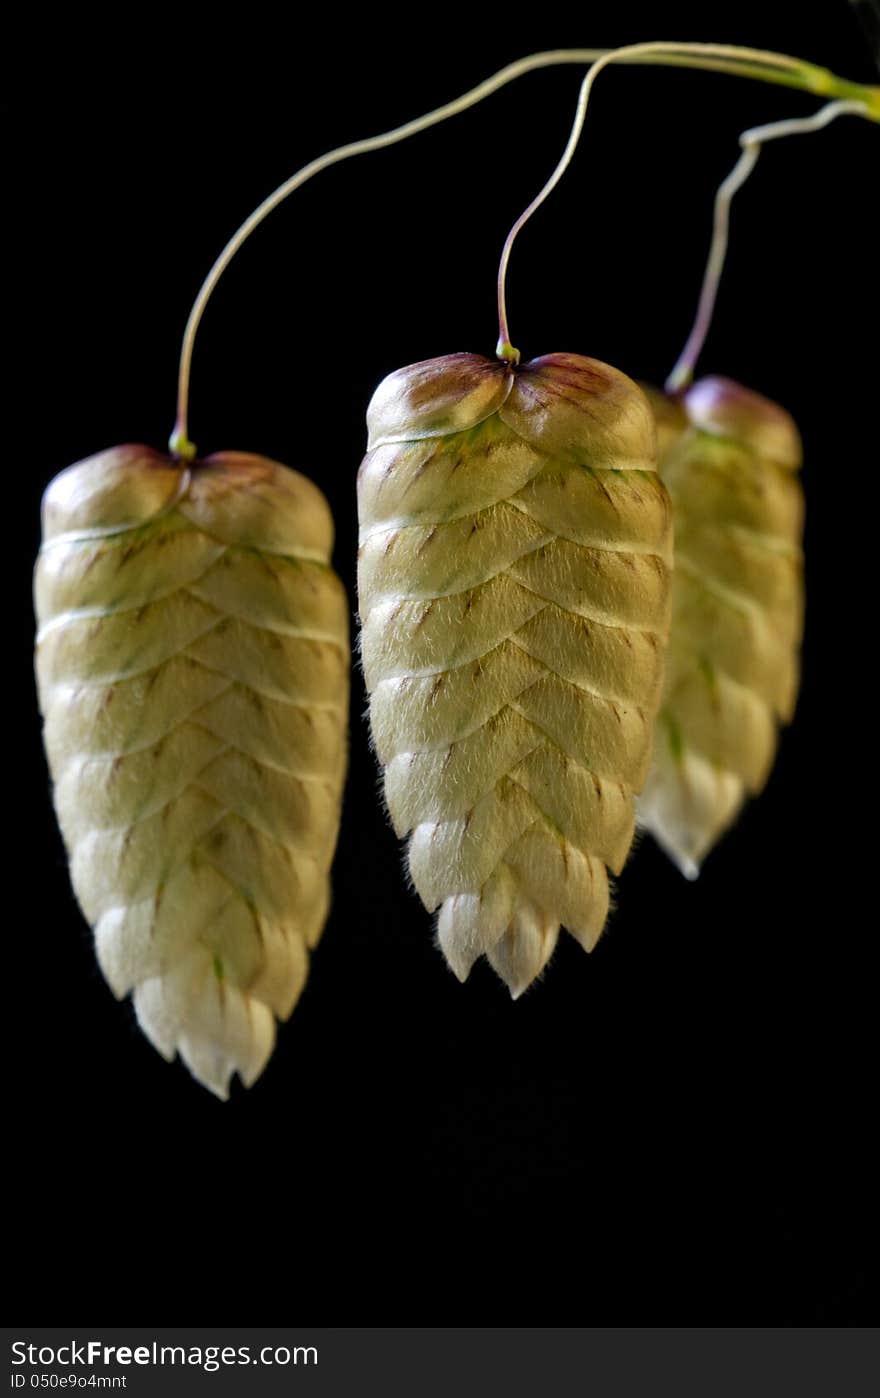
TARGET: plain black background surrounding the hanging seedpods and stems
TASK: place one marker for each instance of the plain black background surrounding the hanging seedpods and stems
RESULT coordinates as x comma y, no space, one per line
675,1130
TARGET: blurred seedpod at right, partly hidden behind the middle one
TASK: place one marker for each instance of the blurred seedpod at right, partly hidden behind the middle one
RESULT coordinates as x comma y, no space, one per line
732,668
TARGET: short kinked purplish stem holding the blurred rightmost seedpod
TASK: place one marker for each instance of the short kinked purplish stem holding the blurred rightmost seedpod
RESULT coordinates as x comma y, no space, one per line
752,143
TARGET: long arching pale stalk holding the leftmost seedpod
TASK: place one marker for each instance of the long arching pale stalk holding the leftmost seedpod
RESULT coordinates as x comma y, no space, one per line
752,64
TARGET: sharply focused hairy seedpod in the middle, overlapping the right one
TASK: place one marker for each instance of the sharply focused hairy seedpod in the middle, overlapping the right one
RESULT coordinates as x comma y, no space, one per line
514,596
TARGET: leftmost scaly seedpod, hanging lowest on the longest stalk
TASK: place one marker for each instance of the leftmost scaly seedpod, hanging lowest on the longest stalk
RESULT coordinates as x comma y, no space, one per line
194,677
